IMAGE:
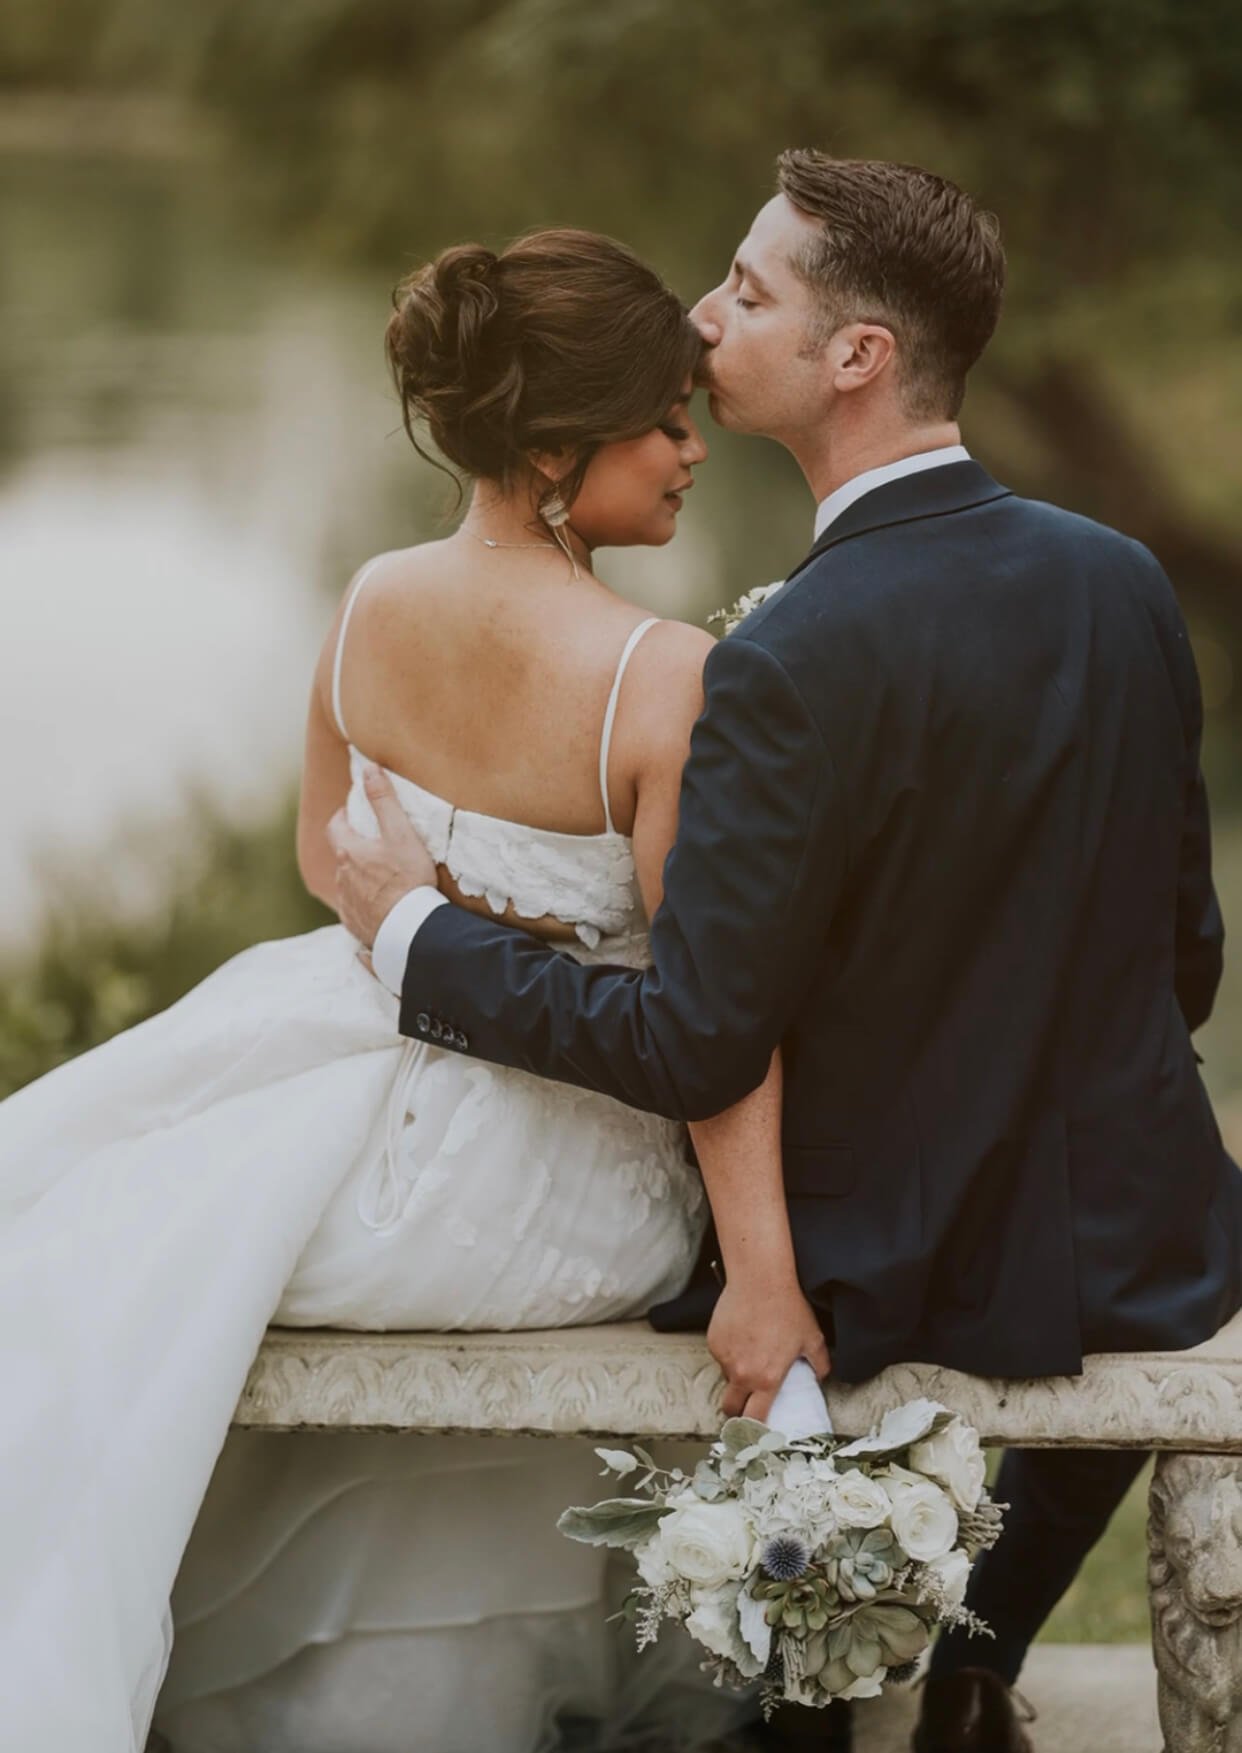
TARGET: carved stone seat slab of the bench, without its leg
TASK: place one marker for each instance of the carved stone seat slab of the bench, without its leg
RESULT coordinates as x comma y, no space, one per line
627,1380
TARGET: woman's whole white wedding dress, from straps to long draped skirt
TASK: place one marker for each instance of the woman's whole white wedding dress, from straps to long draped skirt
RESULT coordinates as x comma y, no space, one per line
271,1149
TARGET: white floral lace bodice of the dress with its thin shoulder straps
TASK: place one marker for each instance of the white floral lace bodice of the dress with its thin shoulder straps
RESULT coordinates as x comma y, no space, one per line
583,881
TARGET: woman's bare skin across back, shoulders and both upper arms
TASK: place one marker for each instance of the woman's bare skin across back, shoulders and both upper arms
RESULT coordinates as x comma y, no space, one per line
483,676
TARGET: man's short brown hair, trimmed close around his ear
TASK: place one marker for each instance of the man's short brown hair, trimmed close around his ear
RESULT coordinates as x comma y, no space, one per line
908,250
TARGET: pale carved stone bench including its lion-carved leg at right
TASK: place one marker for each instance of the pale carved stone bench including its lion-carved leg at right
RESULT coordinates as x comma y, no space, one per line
627,1380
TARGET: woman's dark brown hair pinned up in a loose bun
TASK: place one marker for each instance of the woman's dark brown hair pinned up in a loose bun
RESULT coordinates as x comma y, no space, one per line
562,343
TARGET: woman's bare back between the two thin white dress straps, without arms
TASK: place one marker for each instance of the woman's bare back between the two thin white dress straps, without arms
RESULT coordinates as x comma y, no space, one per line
485,676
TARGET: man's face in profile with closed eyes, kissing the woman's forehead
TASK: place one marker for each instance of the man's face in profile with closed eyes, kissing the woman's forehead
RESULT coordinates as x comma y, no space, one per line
760,369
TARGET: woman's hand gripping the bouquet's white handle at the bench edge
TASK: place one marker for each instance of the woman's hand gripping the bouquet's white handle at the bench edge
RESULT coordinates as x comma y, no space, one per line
757,1333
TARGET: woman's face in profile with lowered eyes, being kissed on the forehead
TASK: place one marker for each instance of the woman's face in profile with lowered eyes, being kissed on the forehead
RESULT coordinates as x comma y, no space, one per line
634,490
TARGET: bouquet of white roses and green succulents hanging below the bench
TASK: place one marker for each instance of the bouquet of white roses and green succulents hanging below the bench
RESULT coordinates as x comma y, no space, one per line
815,1566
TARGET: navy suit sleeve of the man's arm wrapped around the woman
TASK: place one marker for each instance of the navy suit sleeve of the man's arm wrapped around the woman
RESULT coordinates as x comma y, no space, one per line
750,890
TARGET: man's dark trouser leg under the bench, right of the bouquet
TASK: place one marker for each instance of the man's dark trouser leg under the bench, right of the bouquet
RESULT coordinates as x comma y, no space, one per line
1060,1503
